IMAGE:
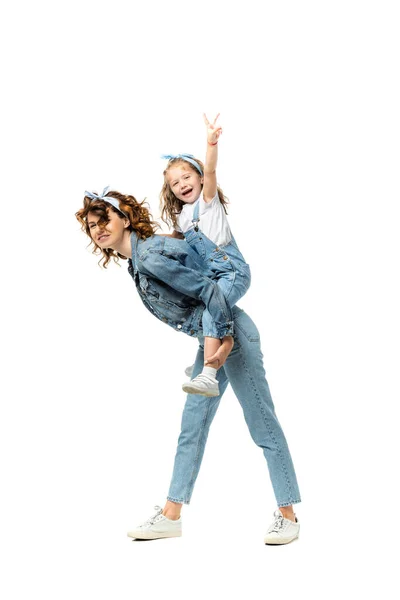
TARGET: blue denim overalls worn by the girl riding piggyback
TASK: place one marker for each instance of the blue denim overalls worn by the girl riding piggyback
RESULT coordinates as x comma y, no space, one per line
232,273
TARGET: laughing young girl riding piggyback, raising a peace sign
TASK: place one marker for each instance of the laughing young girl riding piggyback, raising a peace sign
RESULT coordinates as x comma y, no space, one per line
194,205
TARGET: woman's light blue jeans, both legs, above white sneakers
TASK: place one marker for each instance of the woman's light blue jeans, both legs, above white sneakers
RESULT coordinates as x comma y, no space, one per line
244,370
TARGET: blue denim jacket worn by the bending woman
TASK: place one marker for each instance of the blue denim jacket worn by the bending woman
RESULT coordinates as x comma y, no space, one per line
175,286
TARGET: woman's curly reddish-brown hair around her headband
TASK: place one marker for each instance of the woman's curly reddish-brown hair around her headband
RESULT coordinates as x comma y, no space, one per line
139,217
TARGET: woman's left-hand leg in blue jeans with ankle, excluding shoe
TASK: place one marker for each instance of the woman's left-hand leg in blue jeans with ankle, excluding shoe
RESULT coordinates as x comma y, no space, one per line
197,417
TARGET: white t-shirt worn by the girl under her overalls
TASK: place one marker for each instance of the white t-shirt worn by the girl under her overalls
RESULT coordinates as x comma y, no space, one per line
213,222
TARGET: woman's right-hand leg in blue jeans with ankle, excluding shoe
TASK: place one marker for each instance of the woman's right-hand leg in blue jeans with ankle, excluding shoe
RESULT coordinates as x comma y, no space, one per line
245,370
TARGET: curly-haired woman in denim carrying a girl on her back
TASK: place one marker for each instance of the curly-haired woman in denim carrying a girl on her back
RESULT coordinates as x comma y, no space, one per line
176,287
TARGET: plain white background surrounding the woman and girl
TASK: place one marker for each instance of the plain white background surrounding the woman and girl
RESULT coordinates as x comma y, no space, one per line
92,94
